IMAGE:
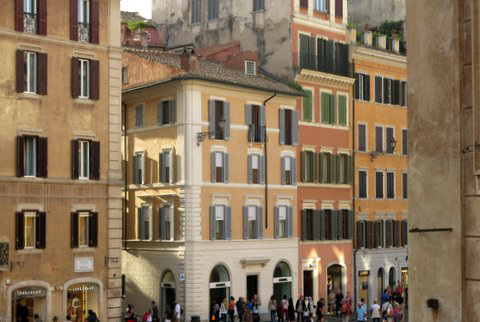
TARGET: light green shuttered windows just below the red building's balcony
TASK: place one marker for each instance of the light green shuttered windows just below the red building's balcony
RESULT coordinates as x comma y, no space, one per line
331,113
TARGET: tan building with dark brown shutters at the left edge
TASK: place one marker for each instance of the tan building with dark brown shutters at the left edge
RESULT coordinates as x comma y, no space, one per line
60,166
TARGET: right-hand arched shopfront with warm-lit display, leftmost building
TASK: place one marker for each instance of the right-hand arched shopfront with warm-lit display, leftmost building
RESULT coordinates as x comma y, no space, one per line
81,298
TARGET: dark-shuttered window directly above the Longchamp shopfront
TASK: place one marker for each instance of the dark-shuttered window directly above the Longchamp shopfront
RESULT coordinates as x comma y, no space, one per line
30,229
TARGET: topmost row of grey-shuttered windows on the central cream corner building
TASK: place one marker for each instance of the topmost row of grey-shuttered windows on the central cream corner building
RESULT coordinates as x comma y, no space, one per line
219,120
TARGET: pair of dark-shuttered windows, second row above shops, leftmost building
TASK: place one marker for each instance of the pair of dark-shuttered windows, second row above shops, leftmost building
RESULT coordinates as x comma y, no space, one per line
32,158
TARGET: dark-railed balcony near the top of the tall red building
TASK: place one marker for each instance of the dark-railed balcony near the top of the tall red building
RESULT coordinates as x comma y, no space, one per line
333,65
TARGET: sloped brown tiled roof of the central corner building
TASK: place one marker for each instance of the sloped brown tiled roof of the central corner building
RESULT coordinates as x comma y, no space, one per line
212,71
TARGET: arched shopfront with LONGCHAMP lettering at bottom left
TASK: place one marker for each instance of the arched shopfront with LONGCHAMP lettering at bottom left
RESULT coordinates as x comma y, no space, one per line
28,301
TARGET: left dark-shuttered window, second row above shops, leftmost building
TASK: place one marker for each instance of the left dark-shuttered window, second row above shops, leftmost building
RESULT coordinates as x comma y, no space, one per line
32,157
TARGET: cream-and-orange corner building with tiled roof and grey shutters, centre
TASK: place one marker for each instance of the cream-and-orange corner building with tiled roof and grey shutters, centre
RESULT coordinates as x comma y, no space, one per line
206,217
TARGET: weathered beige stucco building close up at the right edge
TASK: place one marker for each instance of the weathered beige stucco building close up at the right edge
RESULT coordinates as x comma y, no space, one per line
443,119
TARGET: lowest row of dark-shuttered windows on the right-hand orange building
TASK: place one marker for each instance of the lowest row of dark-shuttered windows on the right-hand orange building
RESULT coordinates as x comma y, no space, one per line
382,233
